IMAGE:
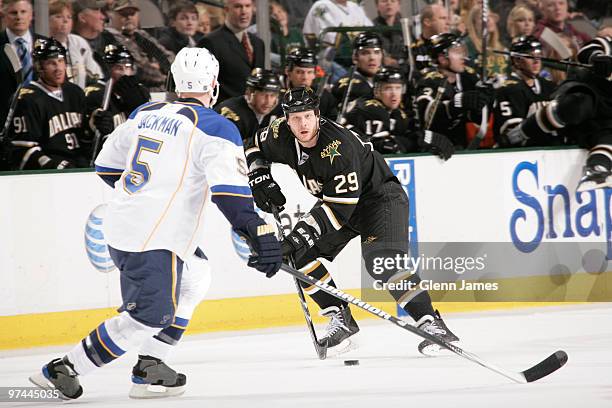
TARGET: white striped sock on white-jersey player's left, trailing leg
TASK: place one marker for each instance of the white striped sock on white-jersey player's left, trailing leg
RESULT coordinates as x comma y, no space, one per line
109,341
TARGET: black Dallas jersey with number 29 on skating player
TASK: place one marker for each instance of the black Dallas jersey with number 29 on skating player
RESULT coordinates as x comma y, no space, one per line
340,170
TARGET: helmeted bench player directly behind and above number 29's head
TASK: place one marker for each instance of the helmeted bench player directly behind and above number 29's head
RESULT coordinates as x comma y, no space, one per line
300,71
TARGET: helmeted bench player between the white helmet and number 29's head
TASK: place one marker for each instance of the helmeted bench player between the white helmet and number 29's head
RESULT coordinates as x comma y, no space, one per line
254,110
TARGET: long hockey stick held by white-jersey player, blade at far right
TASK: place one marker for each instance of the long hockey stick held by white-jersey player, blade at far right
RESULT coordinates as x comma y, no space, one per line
545,367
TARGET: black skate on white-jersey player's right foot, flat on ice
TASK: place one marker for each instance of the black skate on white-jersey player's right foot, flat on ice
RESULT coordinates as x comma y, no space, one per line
152,378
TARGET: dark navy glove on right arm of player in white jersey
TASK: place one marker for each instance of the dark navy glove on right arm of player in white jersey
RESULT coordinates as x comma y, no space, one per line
267,256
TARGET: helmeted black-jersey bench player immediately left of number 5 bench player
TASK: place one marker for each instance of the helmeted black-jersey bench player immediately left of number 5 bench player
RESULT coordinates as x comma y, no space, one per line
448,97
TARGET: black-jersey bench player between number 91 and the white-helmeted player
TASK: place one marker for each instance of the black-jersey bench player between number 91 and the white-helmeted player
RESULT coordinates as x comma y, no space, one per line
126,94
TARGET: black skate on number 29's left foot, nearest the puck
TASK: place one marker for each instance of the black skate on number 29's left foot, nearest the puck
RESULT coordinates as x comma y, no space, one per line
341,326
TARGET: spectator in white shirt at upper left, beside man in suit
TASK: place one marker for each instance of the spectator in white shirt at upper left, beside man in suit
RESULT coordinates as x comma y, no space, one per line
81,68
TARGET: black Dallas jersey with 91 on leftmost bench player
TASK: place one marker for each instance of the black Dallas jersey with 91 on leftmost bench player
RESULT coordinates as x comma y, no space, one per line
49,125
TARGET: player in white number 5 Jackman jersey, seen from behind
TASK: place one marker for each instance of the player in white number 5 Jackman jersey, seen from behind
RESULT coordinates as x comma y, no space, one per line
163,163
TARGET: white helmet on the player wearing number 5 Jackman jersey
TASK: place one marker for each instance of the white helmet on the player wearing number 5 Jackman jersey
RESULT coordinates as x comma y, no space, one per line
196,70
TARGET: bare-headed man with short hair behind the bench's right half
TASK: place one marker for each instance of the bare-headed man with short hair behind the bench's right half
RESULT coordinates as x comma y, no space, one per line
434,20
